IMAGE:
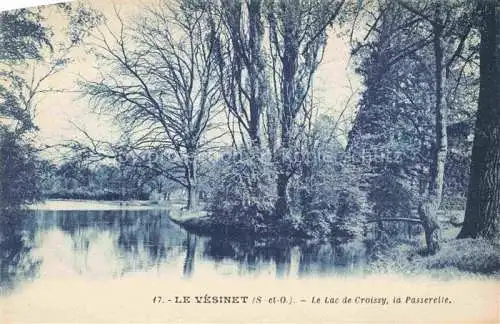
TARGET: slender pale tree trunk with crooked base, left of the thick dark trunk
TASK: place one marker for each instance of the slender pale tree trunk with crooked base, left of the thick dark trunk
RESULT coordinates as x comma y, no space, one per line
428,209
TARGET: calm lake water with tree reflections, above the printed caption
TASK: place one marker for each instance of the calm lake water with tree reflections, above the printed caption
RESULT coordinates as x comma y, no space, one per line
43,245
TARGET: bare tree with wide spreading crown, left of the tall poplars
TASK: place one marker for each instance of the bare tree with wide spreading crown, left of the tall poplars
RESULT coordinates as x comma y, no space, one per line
161,85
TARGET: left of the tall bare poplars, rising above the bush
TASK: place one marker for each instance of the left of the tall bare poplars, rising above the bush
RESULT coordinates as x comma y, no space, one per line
245,84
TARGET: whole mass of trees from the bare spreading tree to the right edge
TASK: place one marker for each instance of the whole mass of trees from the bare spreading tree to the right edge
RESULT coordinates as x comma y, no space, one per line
198,78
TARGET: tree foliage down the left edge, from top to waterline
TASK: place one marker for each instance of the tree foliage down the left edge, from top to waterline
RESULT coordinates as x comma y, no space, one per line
25,49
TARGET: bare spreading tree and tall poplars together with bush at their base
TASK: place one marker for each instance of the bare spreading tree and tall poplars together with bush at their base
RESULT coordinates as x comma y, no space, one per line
190,73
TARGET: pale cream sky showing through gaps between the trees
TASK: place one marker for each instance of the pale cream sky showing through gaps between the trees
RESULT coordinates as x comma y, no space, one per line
58,113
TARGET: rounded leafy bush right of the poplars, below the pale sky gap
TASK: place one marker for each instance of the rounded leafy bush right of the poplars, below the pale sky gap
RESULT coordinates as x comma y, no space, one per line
325,190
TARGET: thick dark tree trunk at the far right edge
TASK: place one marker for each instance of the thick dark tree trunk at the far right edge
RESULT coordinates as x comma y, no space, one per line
483,199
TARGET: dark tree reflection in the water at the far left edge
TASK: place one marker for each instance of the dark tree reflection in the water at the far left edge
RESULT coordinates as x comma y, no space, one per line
17,264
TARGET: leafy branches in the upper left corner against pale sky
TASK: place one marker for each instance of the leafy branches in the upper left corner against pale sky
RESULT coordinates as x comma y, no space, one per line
28,59
